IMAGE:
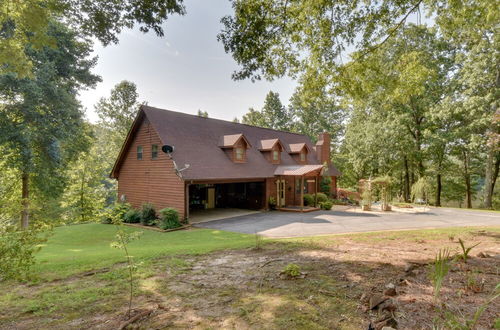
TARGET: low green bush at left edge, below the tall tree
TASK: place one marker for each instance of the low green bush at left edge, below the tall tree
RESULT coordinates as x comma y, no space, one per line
18,249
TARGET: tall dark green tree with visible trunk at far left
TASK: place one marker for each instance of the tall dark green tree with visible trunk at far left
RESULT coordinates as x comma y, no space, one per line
40,119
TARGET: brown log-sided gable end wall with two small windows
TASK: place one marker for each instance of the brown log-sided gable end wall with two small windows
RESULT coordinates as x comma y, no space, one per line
150,180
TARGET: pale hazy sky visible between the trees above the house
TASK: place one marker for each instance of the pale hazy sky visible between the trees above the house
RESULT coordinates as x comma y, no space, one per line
184,71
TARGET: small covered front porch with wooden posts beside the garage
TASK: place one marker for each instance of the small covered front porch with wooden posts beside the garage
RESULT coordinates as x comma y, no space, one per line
305,178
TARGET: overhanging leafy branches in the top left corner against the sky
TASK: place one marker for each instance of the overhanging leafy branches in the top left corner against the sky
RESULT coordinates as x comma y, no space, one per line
24,22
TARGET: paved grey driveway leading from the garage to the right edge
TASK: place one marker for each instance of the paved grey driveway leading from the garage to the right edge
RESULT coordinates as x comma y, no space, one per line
284,224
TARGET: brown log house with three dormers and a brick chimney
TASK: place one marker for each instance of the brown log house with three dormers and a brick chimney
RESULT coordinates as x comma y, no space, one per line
211,163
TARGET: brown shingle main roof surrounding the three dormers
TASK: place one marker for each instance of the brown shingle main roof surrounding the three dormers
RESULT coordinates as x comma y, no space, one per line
196,140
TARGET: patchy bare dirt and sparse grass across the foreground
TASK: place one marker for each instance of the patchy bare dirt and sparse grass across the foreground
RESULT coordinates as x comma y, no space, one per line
343,277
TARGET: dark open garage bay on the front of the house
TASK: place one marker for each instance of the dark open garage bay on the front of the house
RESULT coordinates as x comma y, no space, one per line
224,200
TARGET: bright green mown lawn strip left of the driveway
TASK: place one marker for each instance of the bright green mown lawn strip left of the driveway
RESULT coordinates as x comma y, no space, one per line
79,248
